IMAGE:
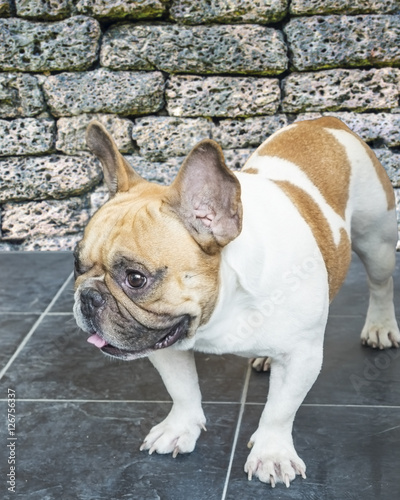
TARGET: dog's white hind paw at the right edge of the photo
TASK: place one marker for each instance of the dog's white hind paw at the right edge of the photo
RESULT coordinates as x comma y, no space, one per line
381,334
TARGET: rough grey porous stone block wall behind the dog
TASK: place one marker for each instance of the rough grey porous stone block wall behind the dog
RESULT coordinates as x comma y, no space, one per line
164,74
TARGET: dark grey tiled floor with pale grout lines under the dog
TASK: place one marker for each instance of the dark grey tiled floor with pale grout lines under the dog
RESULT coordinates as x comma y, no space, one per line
81,417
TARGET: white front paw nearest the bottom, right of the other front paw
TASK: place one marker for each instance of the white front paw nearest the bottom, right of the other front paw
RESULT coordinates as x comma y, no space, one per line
273,463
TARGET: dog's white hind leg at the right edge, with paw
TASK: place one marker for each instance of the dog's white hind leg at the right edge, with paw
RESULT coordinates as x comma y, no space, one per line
374,241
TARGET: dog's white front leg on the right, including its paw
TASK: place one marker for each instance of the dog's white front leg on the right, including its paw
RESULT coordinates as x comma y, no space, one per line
273,457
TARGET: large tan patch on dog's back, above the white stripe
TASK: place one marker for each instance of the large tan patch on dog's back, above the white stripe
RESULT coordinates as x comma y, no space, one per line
324,160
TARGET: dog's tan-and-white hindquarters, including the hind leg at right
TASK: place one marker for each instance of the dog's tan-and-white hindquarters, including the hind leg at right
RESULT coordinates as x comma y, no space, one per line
343,192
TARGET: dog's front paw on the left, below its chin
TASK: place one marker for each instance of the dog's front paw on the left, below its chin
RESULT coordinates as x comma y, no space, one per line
174,435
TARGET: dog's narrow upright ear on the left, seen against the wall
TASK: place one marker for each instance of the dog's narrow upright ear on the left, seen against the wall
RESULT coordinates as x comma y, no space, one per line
118,174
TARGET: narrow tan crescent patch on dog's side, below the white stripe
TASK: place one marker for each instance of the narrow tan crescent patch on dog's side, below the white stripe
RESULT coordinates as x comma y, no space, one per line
336,257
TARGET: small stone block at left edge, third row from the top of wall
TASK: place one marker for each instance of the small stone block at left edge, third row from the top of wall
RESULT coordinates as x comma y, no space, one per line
20,95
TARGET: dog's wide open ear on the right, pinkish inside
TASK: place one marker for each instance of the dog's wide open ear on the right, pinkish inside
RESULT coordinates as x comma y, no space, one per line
206,197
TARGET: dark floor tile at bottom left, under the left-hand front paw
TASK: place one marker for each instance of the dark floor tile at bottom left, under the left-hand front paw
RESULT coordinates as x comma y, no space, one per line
91,451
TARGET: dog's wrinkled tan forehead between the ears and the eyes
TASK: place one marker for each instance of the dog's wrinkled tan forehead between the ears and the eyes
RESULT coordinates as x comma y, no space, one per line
126,233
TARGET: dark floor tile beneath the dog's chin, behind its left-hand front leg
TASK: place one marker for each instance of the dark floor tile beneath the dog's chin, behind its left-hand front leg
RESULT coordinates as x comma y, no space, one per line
59,348
